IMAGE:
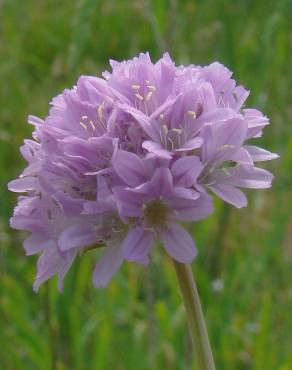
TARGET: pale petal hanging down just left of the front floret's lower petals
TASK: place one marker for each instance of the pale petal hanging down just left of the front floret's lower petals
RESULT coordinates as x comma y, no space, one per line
107,266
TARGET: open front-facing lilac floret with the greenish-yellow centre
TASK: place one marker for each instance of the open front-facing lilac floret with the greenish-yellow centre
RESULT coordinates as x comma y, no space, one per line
153,208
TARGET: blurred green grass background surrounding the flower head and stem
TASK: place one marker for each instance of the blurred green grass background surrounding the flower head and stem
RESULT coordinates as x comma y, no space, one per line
244,268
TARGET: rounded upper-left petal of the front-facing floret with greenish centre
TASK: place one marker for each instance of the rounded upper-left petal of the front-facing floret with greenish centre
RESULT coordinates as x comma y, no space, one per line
129,167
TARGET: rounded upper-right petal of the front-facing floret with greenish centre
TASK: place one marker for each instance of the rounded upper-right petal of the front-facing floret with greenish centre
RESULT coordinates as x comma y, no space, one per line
186,170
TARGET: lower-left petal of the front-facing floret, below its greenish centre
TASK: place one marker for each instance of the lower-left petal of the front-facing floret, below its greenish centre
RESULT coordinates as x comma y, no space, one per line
137,244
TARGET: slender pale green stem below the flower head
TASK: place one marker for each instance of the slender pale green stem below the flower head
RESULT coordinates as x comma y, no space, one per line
195,316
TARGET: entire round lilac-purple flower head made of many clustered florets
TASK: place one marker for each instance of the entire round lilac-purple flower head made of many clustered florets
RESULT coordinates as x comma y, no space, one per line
125,160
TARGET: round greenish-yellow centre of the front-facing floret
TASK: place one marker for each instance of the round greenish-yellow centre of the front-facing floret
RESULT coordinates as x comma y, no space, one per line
155,212
